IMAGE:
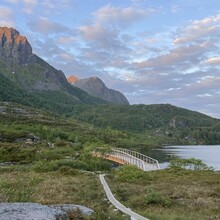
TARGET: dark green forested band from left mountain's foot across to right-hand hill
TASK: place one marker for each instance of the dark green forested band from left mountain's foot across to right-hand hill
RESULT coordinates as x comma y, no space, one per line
162,124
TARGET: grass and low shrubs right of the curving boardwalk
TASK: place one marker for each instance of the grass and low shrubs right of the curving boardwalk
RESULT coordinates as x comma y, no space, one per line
169,194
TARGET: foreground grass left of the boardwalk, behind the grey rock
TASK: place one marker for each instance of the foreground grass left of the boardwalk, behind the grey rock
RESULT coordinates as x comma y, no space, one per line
59,187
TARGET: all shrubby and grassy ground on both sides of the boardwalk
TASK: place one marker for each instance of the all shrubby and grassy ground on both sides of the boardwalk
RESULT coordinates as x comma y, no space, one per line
54,164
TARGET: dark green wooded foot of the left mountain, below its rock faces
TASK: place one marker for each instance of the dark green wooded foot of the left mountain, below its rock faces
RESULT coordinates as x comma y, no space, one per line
59,101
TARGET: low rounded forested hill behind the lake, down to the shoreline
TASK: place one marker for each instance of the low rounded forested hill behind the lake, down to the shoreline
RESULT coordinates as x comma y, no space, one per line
186,126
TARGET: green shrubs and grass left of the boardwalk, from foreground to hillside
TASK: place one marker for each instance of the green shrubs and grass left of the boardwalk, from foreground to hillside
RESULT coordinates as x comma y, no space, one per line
53,159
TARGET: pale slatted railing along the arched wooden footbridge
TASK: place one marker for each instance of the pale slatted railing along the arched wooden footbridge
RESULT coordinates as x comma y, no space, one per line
137,155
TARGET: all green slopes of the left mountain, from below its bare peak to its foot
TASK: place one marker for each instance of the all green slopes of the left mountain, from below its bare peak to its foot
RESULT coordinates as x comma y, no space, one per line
16,82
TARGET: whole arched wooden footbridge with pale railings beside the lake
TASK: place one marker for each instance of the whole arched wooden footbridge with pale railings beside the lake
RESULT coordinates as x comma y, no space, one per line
124,156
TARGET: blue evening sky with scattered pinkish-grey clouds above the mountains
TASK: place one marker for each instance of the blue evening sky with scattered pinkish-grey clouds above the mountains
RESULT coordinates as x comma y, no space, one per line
153,51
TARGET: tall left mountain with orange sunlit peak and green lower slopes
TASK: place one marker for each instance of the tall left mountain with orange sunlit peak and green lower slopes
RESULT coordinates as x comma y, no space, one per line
26,72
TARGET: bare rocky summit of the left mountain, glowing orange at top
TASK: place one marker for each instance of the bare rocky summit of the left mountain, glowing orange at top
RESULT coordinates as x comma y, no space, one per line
14,47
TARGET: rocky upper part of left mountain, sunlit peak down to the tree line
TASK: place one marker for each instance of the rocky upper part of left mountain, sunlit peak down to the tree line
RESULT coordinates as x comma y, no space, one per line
19,64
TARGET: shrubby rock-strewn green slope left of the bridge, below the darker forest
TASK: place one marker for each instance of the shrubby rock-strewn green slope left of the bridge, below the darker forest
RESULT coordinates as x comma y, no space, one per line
19,124
